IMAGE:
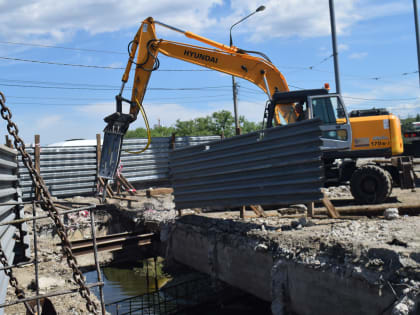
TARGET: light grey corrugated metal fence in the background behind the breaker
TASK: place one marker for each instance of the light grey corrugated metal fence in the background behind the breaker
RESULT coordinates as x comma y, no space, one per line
70,171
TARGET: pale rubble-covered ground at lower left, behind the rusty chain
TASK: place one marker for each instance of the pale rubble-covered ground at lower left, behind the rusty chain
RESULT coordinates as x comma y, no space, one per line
54,273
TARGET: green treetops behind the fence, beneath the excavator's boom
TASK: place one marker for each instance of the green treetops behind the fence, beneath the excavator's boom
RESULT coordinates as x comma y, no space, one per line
218,123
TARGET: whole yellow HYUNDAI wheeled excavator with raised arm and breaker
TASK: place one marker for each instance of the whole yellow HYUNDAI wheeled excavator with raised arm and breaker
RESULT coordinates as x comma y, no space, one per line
346,137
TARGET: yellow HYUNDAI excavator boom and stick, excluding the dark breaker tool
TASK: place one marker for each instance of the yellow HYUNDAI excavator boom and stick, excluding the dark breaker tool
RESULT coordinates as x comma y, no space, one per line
221,58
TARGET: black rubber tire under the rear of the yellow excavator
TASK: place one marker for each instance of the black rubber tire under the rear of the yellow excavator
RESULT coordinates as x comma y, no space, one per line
370,184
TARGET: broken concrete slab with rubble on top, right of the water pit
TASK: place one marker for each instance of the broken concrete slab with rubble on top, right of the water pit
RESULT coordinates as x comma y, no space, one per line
299,264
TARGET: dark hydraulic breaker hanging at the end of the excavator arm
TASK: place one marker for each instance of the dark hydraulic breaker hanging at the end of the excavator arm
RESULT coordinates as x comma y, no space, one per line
114,132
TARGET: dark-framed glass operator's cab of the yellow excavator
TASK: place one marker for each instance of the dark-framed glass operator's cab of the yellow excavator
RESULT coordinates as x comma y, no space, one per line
336,130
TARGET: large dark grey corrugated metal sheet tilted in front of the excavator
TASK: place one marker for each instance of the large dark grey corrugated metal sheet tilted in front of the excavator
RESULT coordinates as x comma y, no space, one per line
277,166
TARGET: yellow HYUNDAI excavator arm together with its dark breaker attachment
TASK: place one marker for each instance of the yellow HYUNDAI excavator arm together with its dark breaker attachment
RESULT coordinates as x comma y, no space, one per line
227,59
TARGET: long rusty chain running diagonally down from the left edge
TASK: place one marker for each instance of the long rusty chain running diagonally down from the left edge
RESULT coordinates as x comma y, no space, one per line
48,205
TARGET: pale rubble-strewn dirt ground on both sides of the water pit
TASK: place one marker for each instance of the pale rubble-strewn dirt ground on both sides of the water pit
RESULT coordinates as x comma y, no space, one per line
400,235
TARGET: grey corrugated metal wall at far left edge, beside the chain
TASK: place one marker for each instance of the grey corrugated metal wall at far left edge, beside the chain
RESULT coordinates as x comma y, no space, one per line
9,193
